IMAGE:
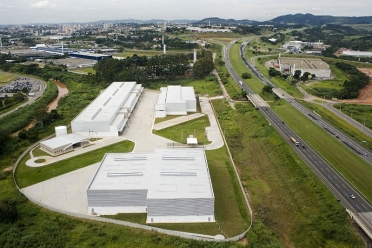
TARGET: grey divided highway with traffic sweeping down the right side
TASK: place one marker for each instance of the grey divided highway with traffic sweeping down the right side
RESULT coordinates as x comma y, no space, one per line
338,186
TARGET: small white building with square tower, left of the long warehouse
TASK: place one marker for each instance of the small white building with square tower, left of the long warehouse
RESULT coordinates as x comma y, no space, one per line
63,142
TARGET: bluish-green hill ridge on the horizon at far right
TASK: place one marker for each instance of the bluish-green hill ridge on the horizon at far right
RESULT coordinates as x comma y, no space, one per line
319,20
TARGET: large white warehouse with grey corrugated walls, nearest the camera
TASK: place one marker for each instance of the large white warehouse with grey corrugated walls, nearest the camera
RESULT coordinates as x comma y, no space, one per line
170,185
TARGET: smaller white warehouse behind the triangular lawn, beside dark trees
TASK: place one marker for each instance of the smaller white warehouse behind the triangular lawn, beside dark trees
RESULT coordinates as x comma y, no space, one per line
175,100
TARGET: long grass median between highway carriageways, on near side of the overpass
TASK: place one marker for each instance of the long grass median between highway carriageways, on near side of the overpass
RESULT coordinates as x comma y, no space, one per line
352,167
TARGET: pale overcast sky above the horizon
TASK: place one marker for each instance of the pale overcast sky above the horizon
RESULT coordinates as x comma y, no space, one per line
58,11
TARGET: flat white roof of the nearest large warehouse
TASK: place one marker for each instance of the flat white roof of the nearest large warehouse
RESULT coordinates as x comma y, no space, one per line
165,173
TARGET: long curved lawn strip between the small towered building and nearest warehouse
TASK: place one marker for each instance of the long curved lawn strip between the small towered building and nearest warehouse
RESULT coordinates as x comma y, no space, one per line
27,176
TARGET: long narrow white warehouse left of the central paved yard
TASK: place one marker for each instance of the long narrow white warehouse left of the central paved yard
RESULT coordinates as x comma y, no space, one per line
109,112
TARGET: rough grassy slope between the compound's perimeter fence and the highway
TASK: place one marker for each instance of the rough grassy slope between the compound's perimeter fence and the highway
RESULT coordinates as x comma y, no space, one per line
292,207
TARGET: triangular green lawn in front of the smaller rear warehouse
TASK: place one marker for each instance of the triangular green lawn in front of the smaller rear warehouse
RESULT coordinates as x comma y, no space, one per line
180,132
